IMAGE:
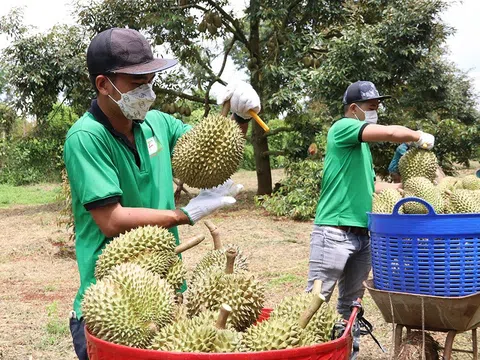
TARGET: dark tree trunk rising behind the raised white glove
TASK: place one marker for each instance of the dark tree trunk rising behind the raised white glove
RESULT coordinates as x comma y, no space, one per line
260,142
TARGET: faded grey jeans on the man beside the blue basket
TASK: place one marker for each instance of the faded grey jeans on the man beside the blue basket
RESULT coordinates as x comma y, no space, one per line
339,256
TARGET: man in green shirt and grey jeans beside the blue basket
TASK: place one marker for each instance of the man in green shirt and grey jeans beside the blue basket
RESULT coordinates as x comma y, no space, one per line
340,245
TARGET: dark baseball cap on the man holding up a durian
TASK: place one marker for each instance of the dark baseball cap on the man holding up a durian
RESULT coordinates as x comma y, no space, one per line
123,51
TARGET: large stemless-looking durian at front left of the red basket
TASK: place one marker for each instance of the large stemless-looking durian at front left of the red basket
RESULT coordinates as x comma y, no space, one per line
128,306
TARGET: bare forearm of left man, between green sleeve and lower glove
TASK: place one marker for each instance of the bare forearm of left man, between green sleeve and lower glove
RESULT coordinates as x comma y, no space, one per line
115,219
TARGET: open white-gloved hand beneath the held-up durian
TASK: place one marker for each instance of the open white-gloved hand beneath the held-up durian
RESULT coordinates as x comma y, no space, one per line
209,200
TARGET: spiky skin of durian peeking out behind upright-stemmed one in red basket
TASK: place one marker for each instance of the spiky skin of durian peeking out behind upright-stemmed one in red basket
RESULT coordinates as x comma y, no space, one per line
216,260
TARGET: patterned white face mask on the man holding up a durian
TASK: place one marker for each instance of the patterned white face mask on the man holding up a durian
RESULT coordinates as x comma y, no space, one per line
135,103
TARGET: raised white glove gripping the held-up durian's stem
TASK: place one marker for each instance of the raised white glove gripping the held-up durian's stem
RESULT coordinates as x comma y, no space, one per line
242,98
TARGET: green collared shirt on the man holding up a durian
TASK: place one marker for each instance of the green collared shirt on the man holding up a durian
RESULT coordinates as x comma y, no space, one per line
102,167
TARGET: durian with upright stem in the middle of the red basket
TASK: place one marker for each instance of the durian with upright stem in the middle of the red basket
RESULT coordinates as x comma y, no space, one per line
241,291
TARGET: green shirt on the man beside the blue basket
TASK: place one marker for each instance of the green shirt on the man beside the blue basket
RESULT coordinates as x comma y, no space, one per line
348,177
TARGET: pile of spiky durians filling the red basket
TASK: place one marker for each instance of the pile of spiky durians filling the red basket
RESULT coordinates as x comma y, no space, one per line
136,300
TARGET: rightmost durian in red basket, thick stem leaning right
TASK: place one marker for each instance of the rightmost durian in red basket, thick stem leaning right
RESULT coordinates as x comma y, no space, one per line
282,333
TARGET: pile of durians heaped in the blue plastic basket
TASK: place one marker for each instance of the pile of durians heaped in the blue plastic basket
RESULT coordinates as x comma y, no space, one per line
418,169
